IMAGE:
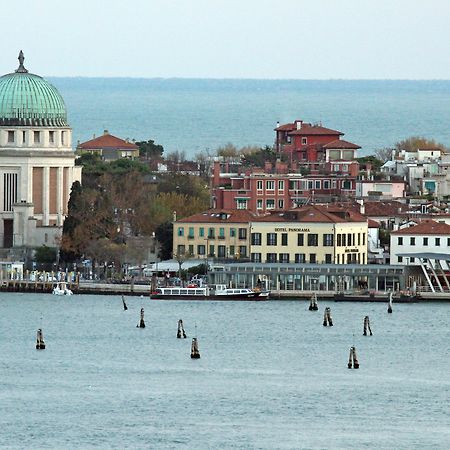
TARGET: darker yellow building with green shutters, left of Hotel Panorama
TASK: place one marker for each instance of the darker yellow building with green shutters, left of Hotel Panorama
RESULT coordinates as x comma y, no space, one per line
214,234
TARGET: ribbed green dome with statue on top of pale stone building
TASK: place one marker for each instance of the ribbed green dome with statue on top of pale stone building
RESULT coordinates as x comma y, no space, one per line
28,100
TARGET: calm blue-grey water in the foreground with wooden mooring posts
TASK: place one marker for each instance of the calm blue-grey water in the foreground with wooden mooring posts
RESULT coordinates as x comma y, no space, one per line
271,376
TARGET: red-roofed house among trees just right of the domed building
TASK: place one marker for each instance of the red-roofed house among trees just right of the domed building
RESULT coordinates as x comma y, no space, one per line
109,147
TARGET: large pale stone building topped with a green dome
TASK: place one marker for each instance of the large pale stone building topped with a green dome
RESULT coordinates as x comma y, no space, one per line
37,162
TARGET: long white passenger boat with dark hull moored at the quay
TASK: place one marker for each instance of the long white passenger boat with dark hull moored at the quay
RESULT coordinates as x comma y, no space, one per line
216,292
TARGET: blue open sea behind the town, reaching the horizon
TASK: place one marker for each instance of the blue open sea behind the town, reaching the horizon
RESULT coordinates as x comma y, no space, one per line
201,115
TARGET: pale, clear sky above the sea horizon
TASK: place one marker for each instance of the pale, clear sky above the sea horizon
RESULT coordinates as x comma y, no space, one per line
271,39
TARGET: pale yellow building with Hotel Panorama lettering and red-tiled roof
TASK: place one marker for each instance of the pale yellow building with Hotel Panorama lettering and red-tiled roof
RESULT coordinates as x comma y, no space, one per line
312,234
